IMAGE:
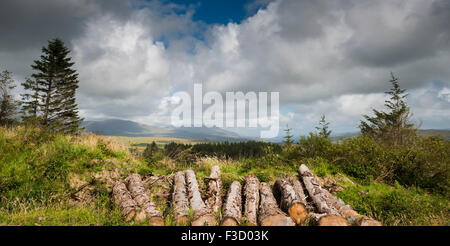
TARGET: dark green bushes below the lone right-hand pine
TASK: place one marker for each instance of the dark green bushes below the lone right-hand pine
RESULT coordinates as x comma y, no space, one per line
422,162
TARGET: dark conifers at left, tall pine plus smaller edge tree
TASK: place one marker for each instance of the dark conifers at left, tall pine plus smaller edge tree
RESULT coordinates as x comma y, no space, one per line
48,99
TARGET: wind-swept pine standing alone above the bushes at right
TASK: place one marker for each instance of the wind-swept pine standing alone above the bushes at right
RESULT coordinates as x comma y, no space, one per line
392,126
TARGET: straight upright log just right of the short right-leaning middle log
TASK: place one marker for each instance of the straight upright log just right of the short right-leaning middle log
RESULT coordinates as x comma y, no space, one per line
251,194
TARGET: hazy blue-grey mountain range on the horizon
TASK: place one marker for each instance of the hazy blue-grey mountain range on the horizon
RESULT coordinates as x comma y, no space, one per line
116,127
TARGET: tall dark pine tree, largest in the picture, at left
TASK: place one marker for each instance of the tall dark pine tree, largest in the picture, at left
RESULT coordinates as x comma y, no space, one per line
56,85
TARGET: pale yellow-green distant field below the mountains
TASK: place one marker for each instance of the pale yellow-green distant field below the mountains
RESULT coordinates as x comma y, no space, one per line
141,142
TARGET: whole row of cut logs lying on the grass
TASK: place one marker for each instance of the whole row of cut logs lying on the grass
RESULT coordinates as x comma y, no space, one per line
290,202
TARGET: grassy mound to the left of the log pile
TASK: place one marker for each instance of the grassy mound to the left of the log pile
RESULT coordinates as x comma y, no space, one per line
39,171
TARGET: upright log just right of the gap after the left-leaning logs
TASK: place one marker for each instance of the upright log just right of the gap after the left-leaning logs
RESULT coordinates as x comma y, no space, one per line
180,200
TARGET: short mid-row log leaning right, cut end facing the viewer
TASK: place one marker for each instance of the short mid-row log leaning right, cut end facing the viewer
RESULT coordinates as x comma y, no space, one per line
233,206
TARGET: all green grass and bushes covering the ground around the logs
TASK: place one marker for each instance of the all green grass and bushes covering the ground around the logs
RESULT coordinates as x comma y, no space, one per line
51,164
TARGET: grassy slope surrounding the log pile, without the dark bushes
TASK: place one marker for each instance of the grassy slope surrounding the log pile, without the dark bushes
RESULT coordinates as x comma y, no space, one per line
37,170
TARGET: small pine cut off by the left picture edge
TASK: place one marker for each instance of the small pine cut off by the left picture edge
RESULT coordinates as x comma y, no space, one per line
8,104
